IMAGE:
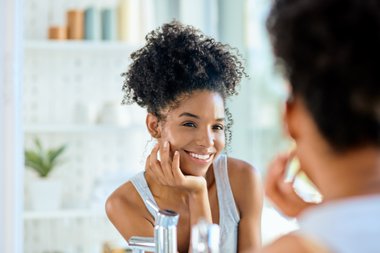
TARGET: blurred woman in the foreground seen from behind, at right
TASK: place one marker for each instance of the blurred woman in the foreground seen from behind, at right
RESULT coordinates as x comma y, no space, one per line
330,51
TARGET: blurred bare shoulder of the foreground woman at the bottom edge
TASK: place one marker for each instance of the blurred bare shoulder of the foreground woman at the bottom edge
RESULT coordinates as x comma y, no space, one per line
295,244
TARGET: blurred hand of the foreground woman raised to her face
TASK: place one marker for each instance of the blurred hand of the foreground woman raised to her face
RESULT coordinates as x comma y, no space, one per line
281,192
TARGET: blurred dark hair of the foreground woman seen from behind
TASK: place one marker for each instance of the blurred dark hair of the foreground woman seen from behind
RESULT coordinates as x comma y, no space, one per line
329,50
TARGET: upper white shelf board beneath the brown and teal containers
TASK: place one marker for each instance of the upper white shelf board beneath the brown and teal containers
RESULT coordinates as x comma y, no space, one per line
82,45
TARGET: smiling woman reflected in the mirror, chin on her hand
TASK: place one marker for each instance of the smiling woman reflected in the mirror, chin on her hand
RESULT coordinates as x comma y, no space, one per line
183,79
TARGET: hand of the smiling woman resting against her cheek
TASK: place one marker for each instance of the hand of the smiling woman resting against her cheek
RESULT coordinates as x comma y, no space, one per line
167,171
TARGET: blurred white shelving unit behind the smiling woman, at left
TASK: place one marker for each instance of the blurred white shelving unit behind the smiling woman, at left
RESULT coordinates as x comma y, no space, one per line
71,96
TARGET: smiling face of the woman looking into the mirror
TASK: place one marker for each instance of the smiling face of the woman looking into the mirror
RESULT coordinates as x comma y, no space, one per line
196,130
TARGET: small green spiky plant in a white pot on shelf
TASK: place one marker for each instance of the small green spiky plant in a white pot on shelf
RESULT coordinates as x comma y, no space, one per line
45,193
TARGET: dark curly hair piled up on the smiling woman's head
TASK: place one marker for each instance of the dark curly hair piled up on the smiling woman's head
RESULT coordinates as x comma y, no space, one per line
176,61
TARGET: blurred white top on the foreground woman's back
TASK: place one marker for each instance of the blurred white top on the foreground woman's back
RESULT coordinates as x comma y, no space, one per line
344,226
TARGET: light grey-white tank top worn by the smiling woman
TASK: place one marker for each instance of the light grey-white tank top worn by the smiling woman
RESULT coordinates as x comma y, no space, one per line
228,213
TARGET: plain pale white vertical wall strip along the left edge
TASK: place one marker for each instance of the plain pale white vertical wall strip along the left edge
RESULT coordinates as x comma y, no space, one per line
11,157
